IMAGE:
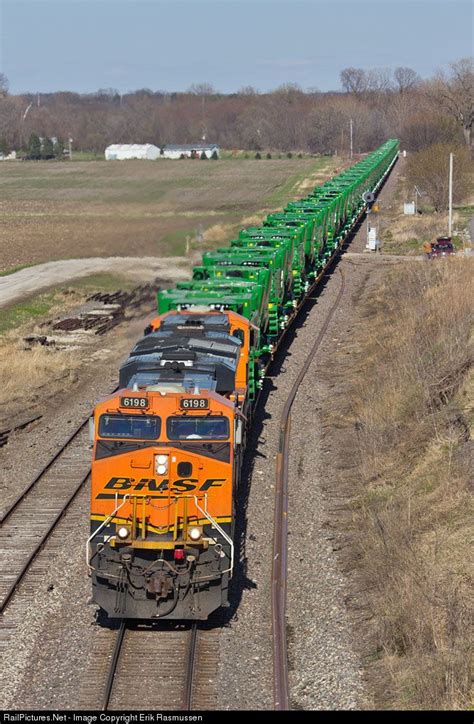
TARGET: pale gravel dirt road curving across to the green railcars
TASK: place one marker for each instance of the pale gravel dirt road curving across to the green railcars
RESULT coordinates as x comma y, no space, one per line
32,280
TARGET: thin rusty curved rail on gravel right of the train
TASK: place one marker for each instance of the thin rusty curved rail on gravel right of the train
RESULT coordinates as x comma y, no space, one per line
280,530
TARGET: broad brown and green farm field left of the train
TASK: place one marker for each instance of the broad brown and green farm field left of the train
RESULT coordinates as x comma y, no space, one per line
53,210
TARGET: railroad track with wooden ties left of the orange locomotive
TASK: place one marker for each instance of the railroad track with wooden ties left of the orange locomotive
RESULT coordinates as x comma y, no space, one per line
30,519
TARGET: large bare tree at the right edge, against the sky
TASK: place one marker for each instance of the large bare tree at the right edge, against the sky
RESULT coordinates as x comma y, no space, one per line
456,93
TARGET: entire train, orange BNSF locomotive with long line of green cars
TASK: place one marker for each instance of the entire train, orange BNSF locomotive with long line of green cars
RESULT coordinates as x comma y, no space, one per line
168,446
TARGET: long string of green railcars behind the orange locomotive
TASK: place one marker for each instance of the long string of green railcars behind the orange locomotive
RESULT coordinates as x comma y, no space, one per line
266,271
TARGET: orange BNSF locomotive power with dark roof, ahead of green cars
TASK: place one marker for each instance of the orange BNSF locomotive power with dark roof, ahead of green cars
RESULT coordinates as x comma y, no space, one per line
167,455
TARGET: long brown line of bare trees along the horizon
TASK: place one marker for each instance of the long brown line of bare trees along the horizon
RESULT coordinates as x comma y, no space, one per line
380,103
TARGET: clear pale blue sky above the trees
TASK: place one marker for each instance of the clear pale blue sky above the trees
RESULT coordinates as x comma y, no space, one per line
84,45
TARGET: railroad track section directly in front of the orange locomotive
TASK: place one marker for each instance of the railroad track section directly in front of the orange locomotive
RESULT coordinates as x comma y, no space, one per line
172,667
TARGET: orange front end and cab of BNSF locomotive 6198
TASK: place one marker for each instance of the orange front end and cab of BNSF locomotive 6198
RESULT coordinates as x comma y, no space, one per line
162,503
